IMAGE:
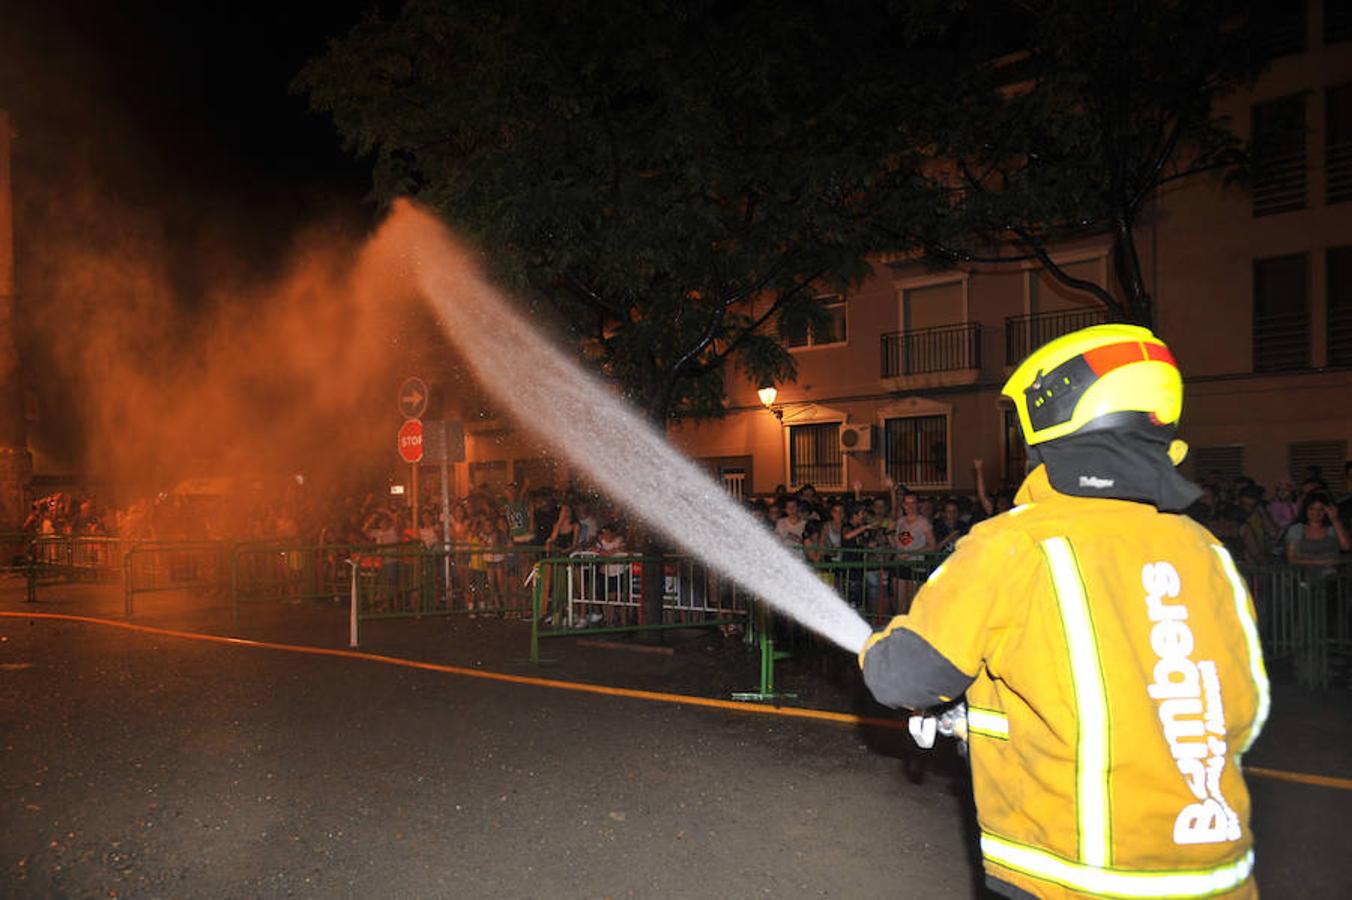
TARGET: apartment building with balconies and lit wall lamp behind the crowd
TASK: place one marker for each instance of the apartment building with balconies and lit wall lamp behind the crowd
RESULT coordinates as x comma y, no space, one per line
1254,293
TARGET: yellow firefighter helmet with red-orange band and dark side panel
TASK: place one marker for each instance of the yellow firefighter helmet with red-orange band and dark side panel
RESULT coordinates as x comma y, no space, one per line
1109,376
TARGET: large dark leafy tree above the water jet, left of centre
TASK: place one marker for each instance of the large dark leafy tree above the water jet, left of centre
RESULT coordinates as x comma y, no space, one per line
666,180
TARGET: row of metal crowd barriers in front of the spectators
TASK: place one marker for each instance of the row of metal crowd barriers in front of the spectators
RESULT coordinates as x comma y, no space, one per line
1305,613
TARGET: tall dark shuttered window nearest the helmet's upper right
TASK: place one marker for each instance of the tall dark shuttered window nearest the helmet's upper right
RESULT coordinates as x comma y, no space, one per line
1281,314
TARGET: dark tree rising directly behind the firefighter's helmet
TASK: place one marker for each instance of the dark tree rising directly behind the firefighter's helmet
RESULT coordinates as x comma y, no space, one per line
1071,122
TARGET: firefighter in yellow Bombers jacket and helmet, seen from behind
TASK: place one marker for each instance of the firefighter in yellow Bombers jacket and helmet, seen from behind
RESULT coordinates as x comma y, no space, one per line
1105,644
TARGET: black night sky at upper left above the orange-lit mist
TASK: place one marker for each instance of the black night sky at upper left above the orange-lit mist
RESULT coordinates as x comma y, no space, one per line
182,109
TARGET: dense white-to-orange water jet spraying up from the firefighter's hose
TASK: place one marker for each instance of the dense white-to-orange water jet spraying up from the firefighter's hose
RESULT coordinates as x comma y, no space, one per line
585,421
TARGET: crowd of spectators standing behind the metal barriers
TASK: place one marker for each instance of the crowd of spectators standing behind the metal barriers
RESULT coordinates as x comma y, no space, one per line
1301,525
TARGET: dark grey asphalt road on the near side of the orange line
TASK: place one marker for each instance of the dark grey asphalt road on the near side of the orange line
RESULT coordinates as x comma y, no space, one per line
149,767
